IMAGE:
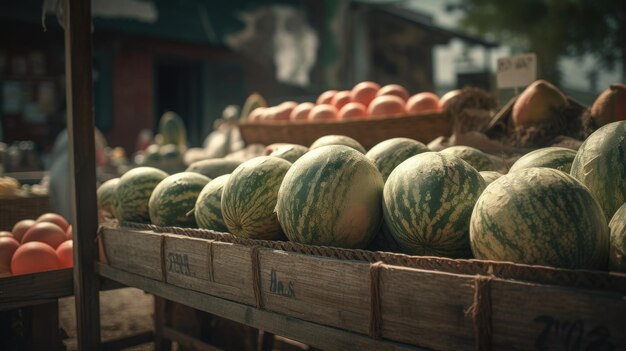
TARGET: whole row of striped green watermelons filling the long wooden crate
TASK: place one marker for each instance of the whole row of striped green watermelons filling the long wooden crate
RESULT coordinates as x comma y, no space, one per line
554,206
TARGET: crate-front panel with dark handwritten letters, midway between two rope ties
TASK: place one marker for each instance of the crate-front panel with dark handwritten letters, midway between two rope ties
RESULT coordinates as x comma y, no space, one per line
316,289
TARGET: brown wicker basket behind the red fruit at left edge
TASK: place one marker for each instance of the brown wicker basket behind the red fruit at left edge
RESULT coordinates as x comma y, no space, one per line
16,209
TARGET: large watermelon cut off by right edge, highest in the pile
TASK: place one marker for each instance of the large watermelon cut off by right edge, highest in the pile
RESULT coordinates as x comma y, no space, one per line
600,164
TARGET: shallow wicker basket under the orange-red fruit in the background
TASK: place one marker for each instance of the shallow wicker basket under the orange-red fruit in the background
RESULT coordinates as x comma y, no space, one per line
369,132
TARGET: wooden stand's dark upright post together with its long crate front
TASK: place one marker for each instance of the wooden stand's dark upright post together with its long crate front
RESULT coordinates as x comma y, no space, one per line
329,298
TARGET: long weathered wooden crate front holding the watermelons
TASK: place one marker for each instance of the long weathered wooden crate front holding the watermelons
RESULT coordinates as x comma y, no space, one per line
428,302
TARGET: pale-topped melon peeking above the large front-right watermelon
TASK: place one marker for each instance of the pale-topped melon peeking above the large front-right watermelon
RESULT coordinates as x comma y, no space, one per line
551,157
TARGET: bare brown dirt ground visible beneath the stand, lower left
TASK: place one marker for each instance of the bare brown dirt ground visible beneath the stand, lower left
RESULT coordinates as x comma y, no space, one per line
123,312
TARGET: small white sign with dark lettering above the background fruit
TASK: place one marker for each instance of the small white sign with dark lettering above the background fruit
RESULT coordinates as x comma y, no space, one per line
516,71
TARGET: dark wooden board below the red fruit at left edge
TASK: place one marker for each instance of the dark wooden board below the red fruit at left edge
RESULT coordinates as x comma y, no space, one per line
32,289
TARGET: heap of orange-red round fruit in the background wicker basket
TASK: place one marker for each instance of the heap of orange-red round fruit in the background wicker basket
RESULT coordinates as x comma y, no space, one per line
364,100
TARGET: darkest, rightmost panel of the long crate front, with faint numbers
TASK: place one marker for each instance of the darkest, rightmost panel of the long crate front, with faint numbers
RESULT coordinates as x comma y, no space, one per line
531,316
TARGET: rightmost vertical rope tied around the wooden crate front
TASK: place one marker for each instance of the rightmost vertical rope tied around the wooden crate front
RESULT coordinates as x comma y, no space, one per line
480,312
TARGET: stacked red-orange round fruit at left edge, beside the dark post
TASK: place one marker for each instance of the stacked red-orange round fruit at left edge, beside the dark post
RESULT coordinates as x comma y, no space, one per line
36,245
